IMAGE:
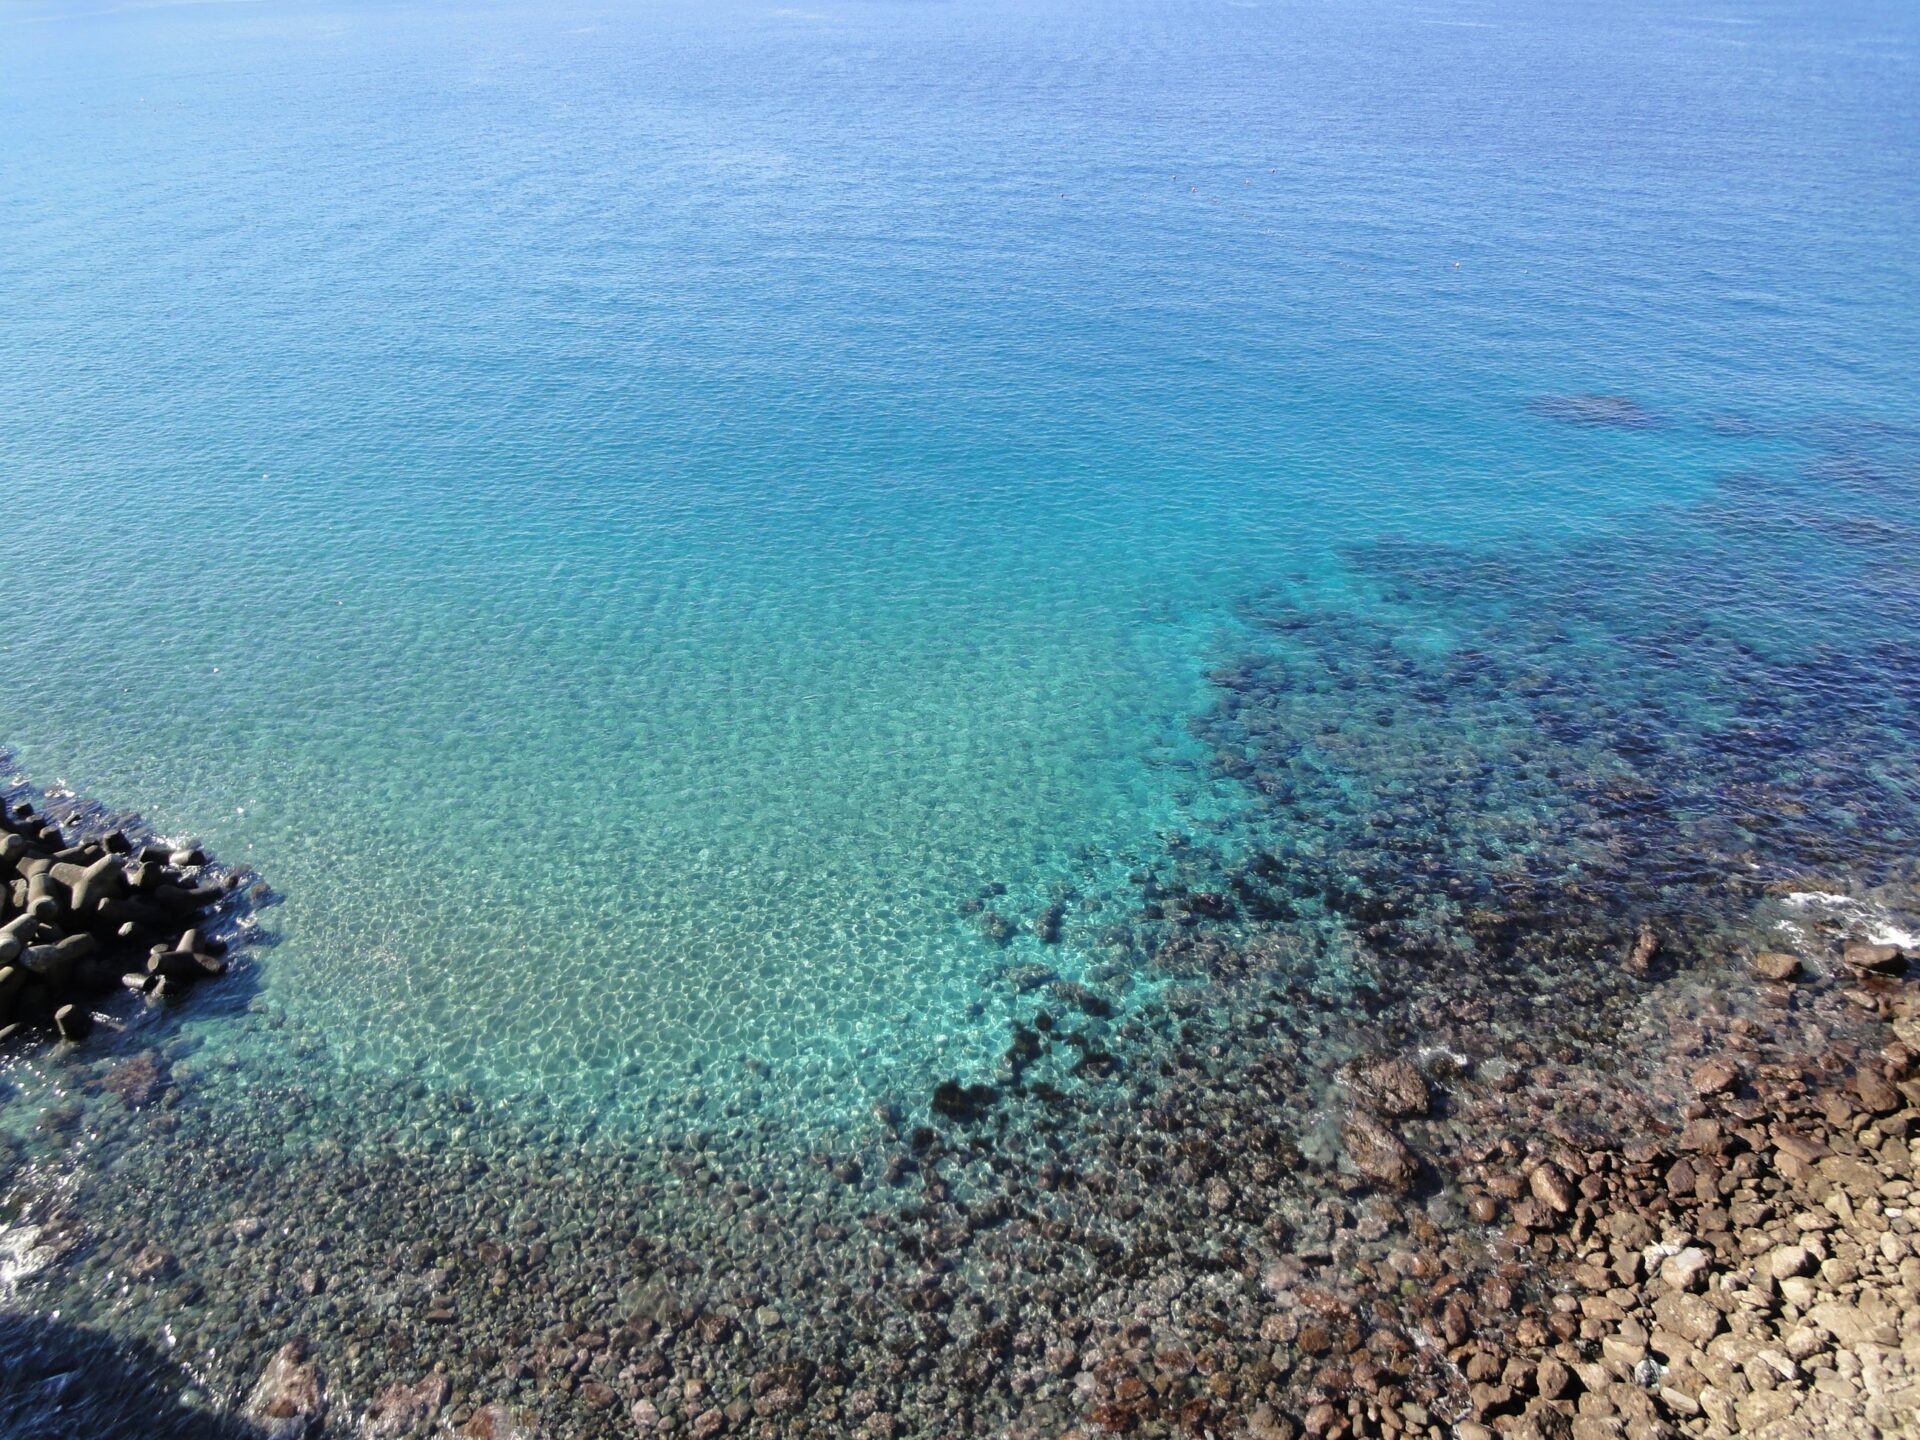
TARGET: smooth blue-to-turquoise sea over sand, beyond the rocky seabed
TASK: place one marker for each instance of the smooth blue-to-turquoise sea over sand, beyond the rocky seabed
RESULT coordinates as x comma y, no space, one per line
633,517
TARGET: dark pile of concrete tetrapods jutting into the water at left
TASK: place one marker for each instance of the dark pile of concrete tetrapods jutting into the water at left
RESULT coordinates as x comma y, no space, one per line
84,917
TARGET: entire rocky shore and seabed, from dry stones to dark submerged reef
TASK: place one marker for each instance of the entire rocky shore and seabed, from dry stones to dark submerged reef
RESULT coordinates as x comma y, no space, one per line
1497,1065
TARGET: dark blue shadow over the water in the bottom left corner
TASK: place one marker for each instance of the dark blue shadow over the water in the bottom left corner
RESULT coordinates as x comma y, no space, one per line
62,1381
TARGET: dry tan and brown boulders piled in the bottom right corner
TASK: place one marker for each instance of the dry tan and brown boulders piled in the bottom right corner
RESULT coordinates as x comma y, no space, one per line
1752,1274
